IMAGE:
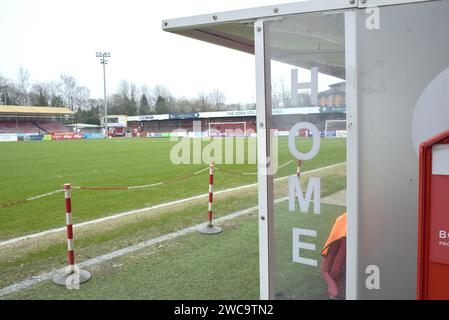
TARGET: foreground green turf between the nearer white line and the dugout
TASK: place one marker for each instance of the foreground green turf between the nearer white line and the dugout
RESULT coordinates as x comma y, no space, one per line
202,267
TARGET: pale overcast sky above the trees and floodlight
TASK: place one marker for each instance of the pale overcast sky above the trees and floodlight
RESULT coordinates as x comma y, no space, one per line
50,37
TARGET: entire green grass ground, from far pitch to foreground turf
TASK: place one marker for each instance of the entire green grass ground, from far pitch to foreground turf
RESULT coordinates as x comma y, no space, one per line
176,269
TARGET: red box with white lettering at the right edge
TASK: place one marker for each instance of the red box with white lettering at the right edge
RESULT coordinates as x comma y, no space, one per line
433,224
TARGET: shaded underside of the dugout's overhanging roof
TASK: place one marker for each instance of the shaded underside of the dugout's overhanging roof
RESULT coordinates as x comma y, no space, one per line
314,40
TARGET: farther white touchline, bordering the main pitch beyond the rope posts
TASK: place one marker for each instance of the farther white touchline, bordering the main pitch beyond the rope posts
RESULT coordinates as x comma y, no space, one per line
163,205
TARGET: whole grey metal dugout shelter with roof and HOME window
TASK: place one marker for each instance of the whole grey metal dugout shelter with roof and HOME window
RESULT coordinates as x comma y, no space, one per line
393,57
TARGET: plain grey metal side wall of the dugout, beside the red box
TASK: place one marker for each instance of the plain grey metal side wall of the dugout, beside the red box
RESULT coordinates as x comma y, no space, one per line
395,64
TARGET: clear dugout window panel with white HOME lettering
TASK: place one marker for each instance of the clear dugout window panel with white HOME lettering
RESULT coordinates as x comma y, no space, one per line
306,56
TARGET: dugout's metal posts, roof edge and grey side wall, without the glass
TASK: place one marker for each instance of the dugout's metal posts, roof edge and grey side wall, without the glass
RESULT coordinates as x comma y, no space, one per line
398,227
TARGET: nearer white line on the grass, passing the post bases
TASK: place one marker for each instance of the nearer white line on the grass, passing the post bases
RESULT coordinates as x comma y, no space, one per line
117,253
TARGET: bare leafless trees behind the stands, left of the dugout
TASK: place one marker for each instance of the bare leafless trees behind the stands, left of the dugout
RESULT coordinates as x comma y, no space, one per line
129,99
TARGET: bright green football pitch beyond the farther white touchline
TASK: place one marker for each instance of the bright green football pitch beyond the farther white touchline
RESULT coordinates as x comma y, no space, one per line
36,168
